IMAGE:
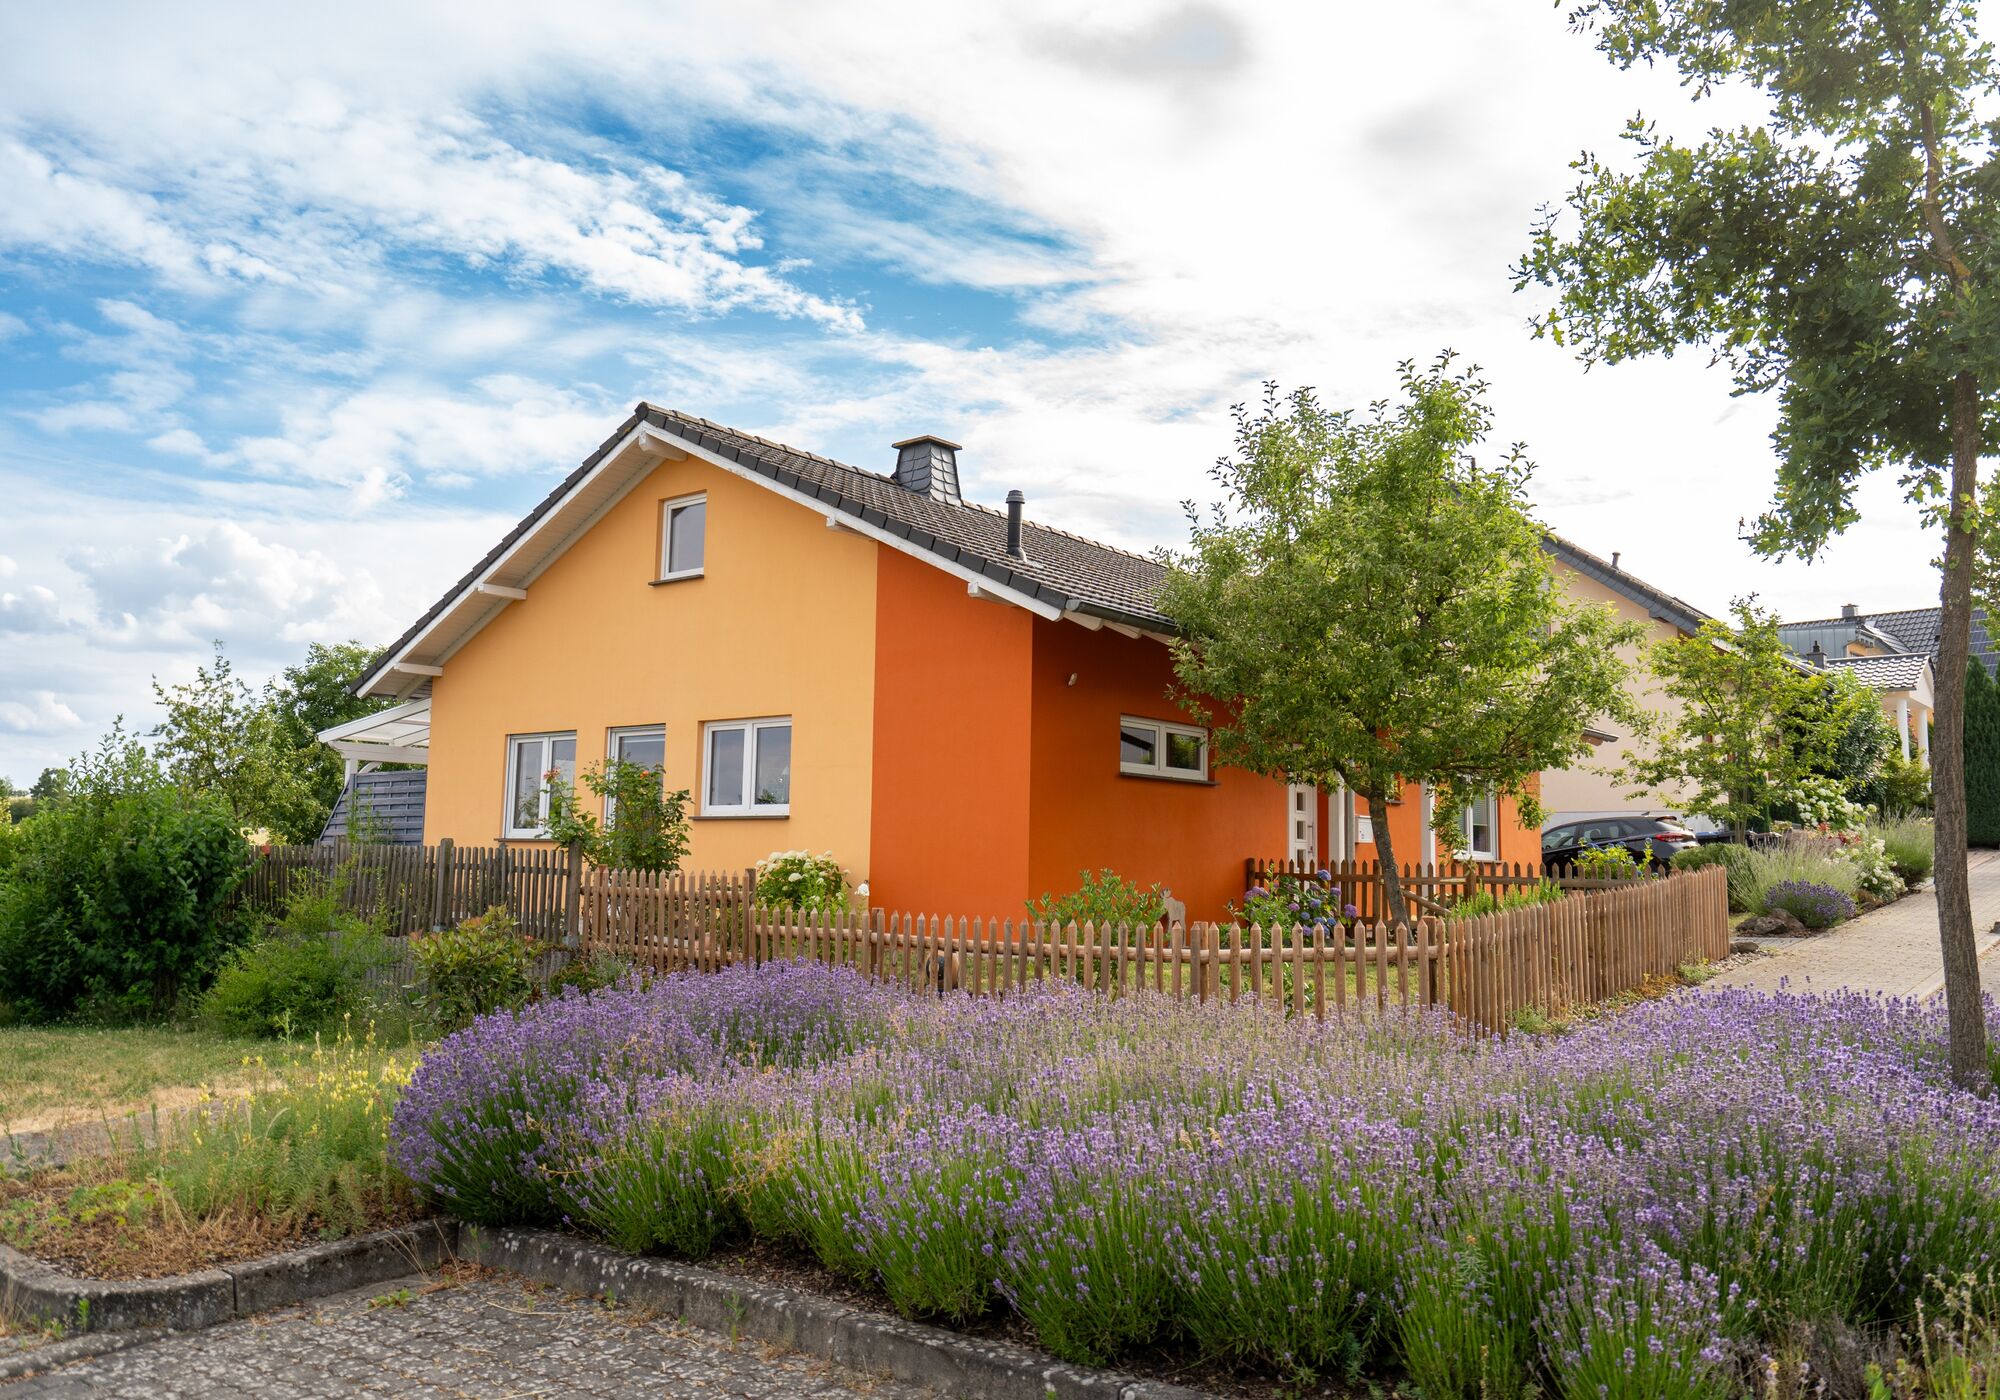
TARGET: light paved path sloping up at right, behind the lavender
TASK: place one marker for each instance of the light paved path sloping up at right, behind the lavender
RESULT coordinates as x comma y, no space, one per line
1891,951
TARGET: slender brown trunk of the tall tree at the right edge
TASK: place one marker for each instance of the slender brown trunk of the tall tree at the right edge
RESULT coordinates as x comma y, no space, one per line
1949,755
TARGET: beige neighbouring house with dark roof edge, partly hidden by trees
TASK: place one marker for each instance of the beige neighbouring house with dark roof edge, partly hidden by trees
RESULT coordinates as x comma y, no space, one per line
1591,789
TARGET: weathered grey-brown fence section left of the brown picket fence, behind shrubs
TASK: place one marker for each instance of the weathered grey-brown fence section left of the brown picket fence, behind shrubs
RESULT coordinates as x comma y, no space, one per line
423,887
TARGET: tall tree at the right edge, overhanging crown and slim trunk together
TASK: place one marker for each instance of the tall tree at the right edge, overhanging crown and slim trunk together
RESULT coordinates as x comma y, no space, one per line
1837,255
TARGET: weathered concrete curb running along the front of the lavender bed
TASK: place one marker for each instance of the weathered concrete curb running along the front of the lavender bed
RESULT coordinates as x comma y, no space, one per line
963,1367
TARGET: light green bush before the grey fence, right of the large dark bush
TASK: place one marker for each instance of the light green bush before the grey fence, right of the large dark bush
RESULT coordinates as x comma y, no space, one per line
307,973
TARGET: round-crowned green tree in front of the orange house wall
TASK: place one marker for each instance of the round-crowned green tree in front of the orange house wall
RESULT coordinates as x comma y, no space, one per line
1373,607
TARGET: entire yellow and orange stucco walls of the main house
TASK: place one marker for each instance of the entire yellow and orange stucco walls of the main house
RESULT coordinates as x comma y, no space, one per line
959,755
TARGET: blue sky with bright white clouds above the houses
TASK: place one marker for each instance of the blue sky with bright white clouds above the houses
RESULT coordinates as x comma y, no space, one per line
301,311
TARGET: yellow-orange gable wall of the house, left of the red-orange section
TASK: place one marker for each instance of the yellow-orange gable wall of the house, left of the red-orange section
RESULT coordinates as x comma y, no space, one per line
781,623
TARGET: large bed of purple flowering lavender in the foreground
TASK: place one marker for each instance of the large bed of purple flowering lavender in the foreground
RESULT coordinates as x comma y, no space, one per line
1661,1205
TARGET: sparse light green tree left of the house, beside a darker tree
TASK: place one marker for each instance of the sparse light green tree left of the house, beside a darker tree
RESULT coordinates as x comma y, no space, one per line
217,739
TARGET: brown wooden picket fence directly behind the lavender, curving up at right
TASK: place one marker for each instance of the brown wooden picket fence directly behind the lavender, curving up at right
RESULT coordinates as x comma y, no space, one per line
1487,971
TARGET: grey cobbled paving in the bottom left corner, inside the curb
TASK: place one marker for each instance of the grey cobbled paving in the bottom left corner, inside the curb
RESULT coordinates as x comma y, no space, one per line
485,1337
